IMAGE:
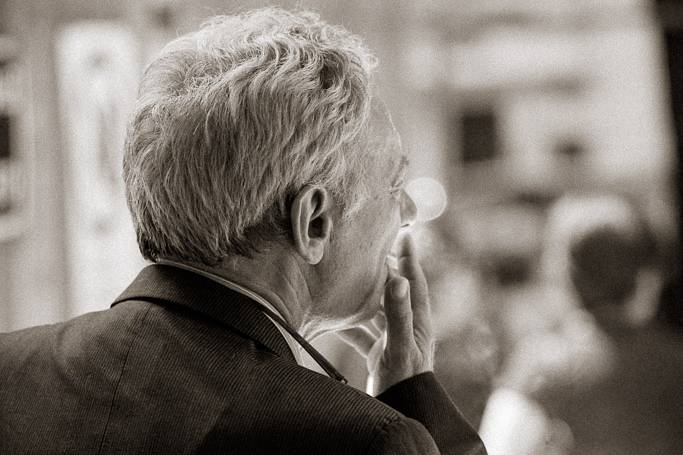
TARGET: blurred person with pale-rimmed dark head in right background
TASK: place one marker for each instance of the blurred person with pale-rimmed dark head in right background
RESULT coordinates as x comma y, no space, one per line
603,376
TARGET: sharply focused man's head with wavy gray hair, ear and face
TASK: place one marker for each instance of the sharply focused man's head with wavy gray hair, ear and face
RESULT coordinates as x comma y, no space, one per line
261,130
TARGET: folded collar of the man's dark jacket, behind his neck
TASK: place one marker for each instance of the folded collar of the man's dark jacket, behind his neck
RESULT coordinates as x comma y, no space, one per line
163,284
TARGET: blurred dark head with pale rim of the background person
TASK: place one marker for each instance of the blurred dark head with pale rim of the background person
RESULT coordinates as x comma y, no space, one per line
596,245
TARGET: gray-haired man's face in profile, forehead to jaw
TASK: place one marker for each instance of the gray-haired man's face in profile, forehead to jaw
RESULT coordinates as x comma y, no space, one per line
356,268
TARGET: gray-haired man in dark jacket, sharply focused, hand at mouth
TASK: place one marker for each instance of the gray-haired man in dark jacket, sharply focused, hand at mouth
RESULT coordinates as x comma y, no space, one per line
264,180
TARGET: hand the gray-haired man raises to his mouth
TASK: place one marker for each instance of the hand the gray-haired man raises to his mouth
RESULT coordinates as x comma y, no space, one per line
398,343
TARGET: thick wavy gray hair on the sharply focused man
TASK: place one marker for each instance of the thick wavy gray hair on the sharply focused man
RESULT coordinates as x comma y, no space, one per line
233,120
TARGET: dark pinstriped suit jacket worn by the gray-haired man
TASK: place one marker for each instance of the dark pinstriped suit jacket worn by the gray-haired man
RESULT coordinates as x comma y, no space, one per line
181,364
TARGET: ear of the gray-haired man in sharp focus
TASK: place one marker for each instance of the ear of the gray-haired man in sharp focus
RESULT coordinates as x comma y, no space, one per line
311,218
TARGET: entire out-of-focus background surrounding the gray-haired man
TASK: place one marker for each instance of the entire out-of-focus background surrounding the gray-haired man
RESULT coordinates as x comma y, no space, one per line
528,126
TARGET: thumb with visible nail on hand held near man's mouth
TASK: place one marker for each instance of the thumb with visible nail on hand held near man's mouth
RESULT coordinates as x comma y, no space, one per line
398,313
